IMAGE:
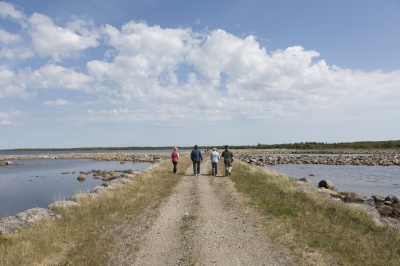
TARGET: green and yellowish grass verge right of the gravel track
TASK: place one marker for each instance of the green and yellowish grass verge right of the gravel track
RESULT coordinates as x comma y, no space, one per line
315,229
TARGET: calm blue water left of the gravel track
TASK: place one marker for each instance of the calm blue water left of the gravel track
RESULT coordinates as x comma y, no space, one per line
37,183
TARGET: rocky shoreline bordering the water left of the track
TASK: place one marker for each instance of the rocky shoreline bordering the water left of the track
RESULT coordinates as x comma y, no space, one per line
112,180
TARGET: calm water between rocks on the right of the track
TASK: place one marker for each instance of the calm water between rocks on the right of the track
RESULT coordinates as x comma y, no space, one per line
367,180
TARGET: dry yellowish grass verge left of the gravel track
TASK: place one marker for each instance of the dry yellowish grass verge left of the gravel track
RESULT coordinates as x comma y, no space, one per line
78,238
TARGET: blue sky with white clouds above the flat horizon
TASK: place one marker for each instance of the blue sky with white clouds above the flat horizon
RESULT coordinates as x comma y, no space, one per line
101,73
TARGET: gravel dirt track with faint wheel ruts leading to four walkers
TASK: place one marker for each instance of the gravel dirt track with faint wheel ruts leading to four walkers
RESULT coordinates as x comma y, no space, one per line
205,222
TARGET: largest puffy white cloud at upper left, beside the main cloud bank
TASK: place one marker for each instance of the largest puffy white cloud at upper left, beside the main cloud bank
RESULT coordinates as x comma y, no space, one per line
57,42
